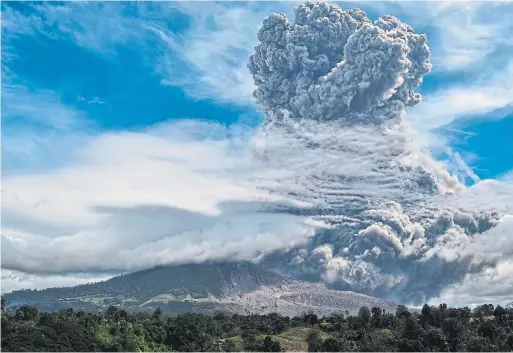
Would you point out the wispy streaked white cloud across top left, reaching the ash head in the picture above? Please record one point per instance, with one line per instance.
(208, 59)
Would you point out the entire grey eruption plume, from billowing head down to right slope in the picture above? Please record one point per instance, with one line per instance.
(335, 88)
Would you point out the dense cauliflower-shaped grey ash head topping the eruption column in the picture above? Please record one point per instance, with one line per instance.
(331, 62)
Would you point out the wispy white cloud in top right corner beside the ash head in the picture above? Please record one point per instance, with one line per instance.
(465, 33)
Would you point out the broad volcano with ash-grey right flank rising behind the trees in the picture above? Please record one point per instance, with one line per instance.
(207, 288)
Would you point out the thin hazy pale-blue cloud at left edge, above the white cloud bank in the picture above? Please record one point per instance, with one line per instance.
(38, 130)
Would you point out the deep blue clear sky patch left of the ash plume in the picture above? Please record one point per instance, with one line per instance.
(116, 87)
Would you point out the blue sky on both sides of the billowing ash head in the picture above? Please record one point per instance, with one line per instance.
(120, 83)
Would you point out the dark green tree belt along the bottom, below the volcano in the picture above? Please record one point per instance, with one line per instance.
(484, 329)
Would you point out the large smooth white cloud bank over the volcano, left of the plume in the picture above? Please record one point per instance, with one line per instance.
(134, 200)
